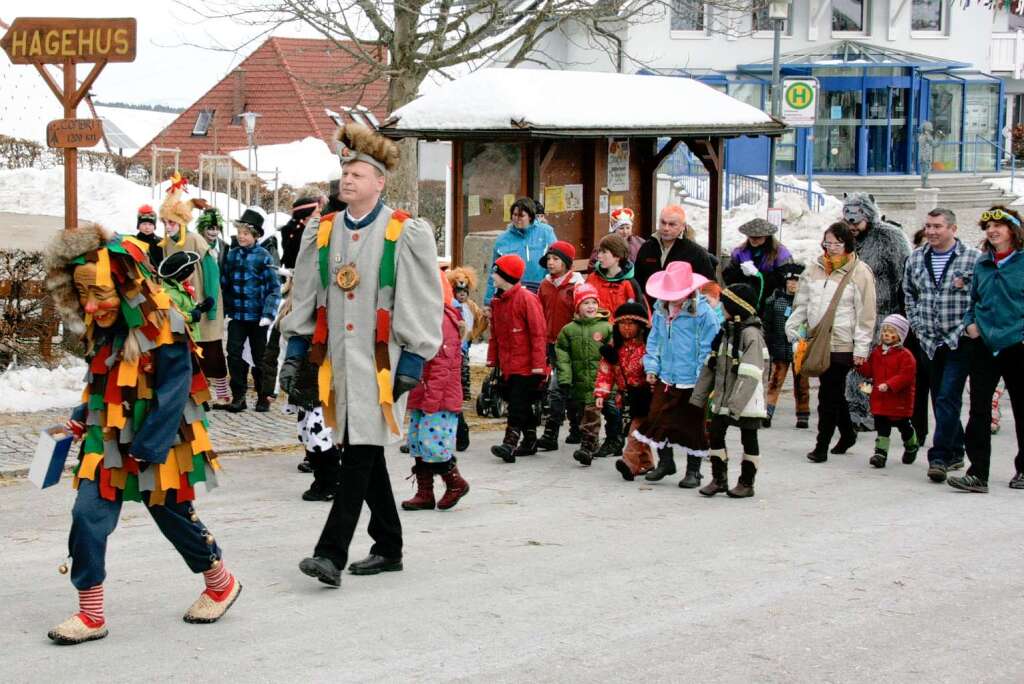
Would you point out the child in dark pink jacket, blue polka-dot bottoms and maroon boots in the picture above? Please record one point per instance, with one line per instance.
(435, 409)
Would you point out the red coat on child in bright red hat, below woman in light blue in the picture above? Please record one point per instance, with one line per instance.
(519, 333)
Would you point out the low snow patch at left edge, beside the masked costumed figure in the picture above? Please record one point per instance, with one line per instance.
(39, 389)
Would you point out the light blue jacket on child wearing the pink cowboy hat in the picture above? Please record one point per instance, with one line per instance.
(676, 353)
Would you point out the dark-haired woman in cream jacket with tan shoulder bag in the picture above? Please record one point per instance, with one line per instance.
(854, 329)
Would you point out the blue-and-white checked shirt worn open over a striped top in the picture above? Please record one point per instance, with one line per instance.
(936, 313)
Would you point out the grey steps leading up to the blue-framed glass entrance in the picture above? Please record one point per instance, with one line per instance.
(895, 194)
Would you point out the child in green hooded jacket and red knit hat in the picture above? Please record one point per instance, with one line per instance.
(578, 352)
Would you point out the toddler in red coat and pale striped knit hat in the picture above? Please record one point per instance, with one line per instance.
(892, 370)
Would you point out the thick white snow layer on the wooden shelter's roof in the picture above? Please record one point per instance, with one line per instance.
(564, 103)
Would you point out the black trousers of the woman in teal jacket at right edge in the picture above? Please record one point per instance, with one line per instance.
(986, 373)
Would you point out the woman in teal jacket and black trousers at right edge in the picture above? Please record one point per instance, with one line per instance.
(997, 318)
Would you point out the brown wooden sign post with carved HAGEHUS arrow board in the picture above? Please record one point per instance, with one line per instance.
(40, 41)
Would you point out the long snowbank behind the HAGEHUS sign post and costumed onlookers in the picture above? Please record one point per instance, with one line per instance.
(103, 198)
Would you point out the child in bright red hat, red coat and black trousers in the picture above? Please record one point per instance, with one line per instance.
(518, 348)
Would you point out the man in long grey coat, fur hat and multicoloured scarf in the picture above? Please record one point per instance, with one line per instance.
(367, 307)
